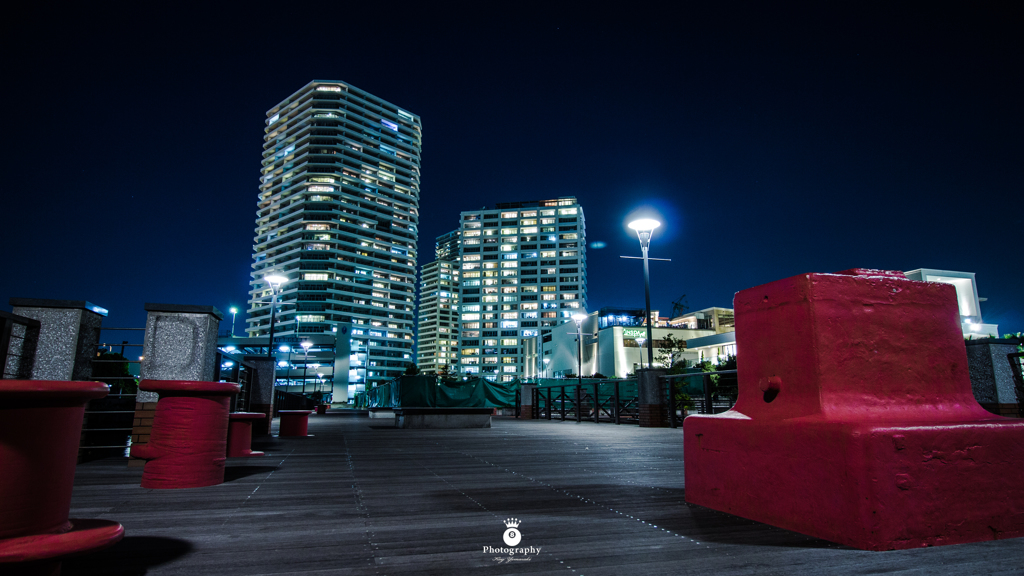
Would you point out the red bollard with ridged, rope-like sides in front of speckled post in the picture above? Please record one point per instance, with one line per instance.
(189, 442)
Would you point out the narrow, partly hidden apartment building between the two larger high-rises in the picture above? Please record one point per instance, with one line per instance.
(438, 343)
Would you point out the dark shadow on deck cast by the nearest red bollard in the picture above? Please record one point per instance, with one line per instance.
(134, 556)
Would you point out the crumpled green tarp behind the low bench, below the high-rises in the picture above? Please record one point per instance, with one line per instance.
(431, 392)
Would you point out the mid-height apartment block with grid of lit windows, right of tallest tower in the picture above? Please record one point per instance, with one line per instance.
(524, 272)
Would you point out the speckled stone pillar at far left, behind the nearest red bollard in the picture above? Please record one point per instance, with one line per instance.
(69, 334)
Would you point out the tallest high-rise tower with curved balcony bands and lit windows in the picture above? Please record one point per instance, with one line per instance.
(338, 215)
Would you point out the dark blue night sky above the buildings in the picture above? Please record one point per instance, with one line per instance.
(772, 142)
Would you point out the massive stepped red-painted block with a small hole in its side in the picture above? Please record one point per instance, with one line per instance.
(856, 421)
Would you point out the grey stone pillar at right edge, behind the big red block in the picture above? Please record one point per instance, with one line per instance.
(992, 379)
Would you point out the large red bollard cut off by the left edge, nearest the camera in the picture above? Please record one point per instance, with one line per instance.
(40, 426)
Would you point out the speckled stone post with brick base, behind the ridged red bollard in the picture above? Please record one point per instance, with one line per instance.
(181, 345)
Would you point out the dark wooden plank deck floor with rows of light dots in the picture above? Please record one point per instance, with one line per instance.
(362, 499)
